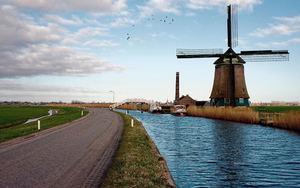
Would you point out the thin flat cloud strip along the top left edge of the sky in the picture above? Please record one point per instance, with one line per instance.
(69, 5)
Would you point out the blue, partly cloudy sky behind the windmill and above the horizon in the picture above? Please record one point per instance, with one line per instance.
(105, 50)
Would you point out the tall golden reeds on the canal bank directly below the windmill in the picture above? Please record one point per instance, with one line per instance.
(238, 114)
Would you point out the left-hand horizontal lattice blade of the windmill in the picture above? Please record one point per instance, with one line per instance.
(198, 53)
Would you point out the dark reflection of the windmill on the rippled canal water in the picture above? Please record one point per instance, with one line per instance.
(229, 154)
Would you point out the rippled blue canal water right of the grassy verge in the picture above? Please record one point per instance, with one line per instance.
(209, 153)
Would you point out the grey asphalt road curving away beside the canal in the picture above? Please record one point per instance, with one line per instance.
(76, 154)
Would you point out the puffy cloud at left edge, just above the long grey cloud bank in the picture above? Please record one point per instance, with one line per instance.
(18, 30)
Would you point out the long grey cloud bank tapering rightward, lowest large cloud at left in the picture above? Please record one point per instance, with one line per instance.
(47, 59)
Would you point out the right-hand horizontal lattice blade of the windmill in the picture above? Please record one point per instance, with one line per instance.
(264, 55)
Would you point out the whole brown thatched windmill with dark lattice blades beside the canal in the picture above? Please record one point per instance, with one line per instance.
(229, 87)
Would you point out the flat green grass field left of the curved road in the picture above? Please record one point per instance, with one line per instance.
(10, 116)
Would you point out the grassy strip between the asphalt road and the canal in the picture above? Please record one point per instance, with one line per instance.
(137, 162)
